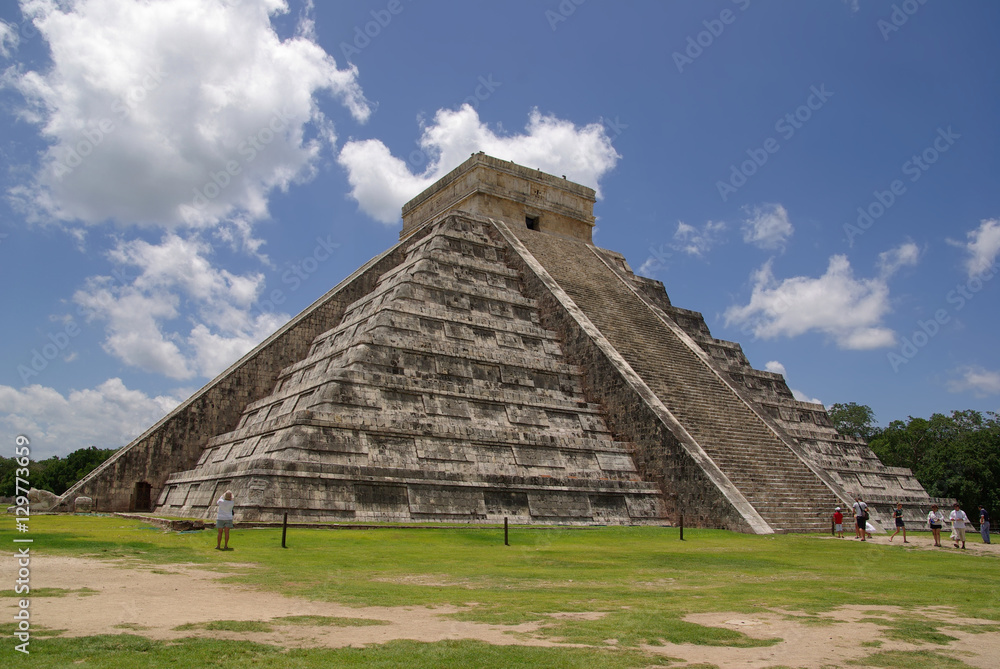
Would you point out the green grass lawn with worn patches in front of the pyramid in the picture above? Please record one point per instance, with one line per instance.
(642, 578)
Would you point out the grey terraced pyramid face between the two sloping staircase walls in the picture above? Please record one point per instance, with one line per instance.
(437, 397)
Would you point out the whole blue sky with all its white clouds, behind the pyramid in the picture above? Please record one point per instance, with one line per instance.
(819, 179)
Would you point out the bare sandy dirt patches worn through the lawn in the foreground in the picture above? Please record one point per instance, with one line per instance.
(152, 601)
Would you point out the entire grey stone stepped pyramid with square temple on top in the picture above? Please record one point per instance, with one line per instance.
(495, 363)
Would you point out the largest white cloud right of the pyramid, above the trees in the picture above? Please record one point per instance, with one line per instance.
(848, 310)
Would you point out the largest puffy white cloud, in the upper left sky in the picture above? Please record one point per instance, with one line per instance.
(146, 106)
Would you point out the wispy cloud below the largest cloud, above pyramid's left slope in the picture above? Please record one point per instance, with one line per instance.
(141, 313)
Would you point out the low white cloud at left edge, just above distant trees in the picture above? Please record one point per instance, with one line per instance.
(107, 416)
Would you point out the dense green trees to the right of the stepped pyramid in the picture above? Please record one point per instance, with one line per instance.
(954, 455)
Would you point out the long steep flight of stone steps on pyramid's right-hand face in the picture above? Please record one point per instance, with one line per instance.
(777, 482)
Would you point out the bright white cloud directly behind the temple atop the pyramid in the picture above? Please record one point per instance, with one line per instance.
(381, 183)
